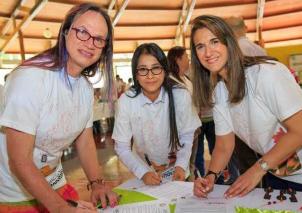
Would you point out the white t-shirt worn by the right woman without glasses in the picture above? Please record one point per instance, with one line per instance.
(272, 95)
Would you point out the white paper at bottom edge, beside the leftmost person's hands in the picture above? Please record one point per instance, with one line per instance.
(143, 207)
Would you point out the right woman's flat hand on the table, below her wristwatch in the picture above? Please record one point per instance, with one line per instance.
(246, 182)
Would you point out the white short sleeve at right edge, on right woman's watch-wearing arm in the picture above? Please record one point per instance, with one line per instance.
(279, 91)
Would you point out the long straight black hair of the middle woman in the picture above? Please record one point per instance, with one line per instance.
(168, 84)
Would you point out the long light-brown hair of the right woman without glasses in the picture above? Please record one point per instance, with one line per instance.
(203, 85)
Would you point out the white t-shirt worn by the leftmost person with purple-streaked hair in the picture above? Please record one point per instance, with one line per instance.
(42, 103)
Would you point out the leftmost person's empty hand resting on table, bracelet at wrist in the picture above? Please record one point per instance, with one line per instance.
(102, 193)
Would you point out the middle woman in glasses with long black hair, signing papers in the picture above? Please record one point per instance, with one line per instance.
(157, 113)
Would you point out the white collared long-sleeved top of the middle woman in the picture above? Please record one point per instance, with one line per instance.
(148, 123)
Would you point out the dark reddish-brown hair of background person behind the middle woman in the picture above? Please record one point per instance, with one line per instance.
(173, 54)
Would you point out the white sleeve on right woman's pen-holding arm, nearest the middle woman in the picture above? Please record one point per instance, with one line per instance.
(221, 115)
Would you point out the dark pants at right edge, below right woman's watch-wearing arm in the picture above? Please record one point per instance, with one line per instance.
(278, 183)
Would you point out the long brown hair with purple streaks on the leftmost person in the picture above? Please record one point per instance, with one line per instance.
(56, 57)
